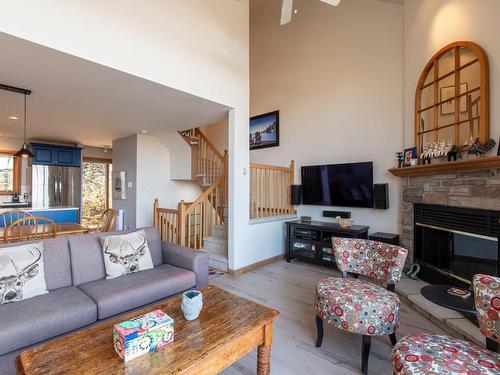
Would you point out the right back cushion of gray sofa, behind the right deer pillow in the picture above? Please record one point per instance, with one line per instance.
(87, 262)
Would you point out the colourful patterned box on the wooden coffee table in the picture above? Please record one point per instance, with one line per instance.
(143, 334)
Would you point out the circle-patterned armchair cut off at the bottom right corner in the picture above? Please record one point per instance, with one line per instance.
(422, 353)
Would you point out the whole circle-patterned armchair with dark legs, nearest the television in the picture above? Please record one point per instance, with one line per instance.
(358, 306)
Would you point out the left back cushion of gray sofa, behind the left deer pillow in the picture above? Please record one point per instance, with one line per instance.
(56, 262)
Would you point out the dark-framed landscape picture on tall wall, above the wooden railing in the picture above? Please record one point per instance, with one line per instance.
(264, 130)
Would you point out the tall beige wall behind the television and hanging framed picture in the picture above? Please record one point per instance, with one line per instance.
(336, 75)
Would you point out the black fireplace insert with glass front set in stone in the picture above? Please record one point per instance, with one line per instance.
(452, 244)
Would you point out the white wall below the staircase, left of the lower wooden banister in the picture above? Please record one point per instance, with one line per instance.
(153, 180)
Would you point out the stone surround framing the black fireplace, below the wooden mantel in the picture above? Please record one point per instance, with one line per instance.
(478, 189)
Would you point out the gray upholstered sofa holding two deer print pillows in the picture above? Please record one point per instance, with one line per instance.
(80, 295)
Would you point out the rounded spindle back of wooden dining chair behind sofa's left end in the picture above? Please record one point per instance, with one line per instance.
(30, 228)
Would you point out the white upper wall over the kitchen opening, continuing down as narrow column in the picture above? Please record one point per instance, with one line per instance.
(196, 46)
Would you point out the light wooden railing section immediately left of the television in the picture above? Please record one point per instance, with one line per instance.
(270, 190)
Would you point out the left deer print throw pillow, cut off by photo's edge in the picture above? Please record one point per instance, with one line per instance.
(21, 272)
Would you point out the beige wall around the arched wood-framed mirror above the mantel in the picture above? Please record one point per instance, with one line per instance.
(429, 26)
